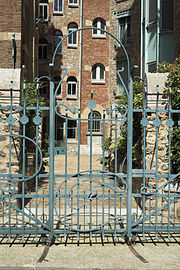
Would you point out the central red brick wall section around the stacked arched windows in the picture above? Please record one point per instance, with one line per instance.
(94, 51)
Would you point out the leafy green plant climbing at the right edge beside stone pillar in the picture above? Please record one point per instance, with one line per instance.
(173, 81)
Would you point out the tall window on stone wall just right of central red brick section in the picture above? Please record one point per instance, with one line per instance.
(124, 29)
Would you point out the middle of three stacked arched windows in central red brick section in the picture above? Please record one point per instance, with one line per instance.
(98, 74)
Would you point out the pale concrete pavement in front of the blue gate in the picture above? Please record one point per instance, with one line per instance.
(119, 256)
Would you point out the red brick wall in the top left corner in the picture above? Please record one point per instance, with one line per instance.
(10, 21)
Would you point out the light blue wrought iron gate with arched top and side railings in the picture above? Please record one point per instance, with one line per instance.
(76, 197)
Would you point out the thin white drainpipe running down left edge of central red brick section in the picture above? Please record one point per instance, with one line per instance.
(80, 56)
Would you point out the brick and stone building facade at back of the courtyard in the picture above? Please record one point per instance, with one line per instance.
(92, 57)
